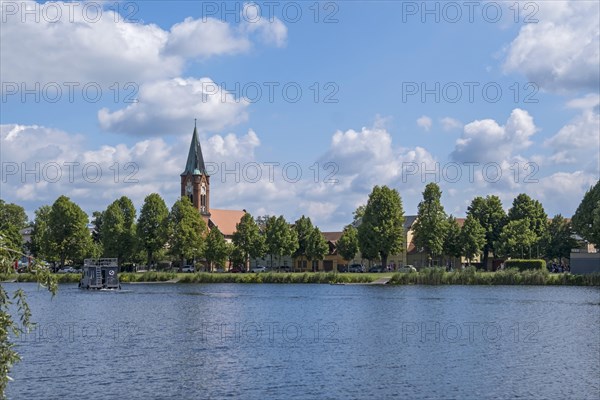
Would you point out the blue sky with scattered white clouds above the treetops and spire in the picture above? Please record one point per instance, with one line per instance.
(302, 107)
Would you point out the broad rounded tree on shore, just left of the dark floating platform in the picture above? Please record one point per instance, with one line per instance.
(67, 232)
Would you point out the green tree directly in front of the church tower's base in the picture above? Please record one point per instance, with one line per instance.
(187, 230)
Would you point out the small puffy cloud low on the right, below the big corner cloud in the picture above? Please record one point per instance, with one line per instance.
(487, 141)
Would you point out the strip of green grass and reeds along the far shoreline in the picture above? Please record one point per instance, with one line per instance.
(433, 276)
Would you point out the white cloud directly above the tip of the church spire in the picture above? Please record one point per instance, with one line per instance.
(169, 107)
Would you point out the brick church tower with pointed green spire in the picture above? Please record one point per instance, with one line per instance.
(195, 182)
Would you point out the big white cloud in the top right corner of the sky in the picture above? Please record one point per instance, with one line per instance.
(562, 51)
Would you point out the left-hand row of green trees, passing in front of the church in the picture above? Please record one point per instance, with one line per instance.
(60, 233)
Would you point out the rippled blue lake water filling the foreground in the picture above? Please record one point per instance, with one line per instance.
(163, 341)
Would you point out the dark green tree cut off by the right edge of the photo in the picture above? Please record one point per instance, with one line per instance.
(586, 220)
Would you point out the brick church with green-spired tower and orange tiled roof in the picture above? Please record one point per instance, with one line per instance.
(195, 184)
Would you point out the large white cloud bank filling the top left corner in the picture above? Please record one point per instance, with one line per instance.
(104, 48)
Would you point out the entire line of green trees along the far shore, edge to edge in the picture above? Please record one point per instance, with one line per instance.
(60, 231)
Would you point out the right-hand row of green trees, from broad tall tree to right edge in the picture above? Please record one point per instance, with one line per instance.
(523, 232)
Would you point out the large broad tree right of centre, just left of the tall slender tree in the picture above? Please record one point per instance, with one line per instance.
(381, 228)
